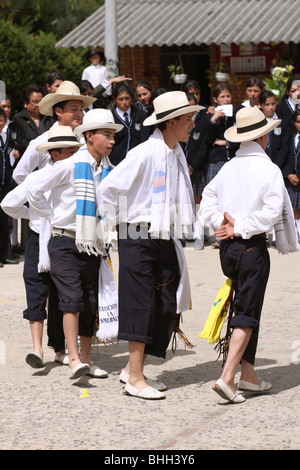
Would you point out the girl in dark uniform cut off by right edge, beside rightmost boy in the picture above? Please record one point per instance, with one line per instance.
(291, 170)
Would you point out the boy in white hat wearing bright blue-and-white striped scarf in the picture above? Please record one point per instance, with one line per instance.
(74, 248)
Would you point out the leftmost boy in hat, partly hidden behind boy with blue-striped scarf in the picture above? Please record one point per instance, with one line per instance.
(61, 144)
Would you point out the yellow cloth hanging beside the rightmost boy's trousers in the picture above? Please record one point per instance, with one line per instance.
(217, 315)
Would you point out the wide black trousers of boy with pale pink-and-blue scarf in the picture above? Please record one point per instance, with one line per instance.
(148, 281)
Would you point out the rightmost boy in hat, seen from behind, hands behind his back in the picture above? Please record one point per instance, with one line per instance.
(243, 203)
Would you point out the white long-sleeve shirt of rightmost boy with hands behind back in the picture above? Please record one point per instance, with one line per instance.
(250, 188)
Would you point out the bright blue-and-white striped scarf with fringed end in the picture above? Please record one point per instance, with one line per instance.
(86, 209)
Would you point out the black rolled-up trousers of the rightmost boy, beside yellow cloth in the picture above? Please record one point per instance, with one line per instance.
(247, 263)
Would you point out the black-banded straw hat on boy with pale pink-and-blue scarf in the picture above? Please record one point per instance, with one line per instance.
(170, 105)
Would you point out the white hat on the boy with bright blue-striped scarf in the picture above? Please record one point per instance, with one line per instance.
(97, 119)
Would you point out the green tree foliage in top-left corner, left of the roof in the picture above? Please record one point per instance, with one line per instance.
(29, 30)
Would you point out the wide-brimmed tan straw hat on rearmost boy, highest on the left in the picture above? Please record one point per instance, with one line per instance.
(67, 91)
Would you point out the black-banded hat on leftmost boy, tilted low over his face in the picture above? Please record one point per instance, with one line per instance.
(59, 137)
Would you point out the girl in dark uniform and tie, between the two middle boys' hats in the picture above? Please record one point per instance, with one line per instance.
(131, 117)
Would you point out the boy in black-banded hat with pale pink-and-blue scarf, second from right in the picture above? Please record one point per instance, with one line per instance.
(153, 184)
